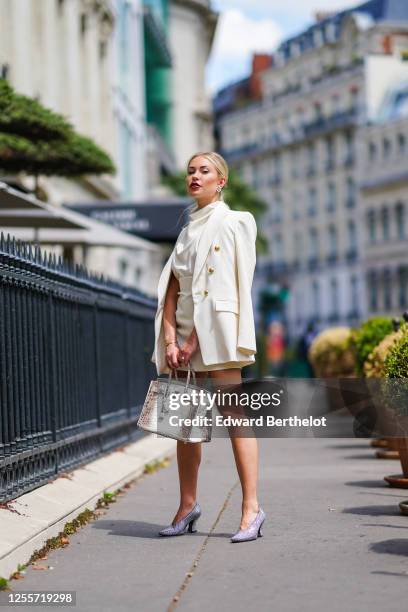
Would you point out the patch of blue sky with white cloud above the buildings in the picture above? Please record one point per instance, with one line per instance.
(248, 26)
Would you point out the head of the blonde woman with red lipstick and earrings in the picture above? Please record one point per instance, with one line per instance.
(203, 179)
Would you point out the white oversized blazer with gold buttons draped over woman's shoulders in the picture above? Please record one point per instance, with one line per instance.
(221, 290)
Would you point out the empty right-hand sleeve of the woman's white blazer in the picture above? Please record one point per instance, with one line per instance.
(245, 253)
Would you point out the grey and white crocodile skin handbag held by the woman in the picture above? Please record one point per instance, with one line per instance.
(172, 410)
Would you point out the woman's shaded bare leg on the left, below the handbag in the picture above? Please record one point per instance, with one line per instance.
(188, 462)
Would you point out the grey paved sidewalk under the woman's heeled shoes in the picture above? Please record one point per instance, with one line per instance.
(333, 538)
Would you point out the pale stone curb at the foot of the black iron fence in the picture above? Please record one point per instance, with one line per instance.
(44, 511)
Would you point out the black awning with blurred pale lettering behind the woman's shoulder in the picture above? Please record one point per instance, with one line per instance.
(158, 221)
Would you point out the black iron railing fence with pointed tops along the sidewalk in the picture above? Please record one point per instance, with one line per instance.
(75, 365)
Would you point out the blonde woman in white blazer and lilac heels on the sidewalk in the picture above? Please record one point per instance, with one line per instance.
(205, 319)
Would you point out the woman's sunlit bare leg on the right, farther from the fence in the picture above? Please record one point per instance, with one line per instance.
(245, 453)
